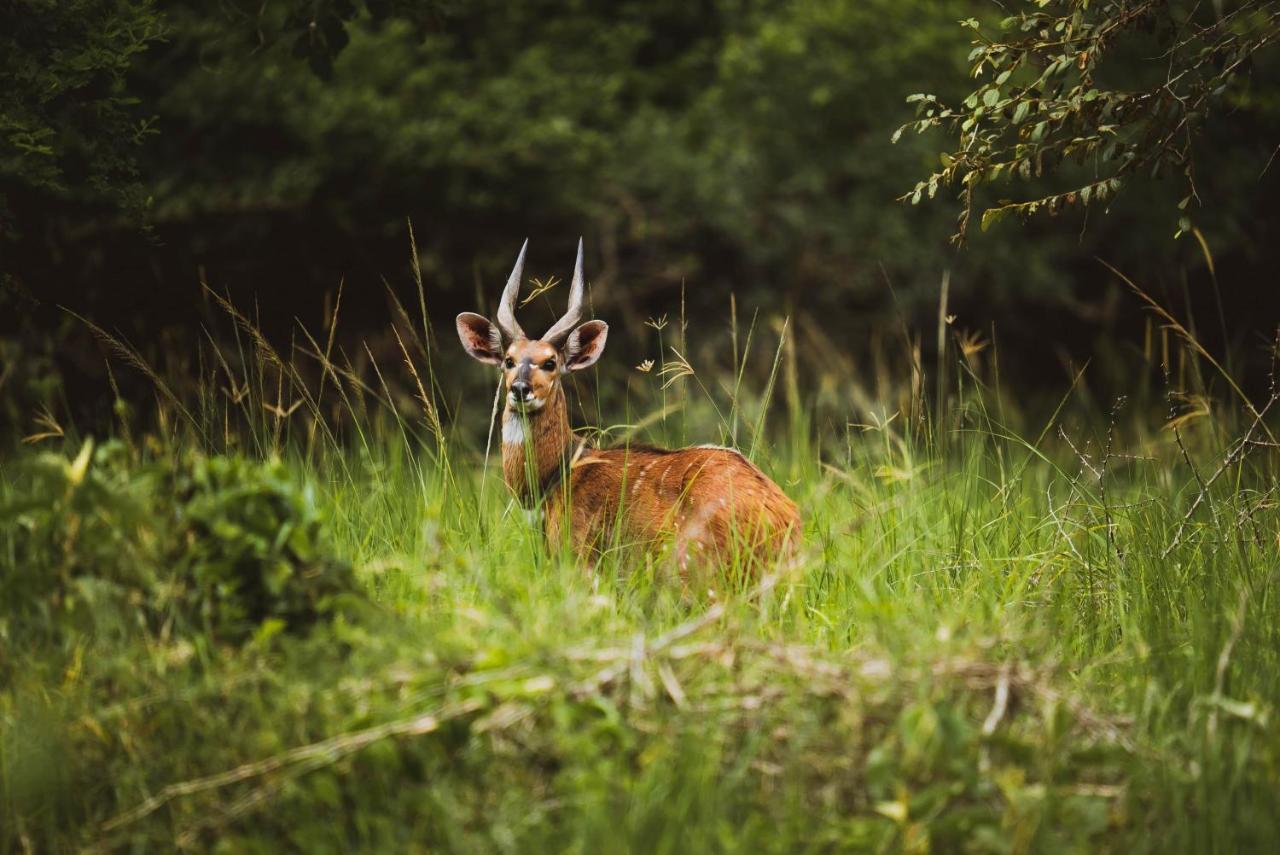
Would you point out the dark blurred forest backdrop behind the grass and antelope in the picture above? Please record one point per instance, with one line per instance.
(702, 149)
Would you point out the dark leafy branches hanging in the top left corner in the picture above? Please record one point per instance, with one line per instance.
(70, 122)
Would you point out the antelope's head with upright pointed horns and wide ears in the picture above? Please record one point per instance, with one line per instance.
(533, 367)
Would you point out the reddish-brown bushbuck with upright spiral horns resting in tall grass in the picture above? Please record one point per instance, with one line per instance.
(707, 504)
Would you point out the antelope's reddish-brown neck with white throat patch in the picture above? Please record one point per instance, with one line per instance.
(536, 443)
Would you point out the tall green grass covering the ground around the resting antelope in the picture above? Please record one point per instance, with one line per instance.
(1008, 632)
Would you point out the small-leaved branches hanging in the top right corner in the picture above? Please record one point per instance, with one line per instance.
(1055, 90)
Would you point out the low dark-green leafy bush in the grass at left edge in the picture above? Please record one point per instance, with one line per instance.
(100, 548)
